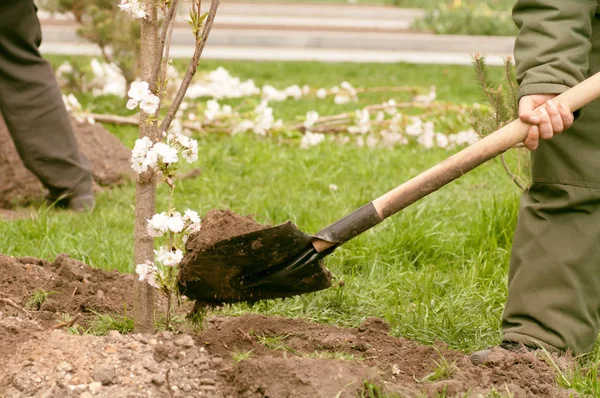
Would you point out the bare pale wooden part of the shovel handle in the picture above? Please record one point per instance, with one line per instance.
(476, 154)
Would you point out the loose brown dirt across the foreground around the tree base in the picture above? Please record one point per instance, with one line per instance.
(247, 356)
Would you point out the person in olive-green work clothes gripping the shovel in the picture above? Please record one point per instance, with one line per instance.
(554, 278)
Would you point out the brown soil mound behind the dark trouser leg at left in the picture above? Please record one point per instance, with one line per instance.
(110, 161)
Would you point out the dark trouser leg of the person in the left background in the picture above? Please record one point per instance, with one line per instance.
(32, 106)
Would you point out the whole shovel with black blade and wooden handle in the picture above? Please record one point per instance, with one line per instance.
(282, 261)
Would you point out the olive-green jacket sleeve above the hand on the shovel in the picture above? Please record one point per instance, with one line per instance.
(553, 44)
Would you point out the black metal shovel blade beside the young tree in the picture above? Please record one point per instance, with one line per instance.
(270, 263)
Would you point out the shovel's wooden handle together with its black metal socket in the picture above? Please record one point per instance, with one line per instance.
(444, 172)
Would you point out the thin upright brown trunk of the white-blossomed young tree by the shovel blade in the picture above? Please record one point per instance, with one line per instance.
(145, 195)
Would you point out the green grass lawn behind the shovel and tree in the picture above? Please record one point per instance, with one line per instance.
(436, 271)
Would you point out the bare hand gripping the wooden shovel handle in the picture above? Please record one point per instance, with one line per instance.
(552, 119)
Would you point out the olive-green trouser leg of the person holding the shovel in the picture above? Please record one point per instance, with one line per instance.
(554, 279)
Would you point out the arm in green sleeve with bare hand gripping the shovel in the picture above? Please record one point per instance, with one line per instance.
(551, 55)
